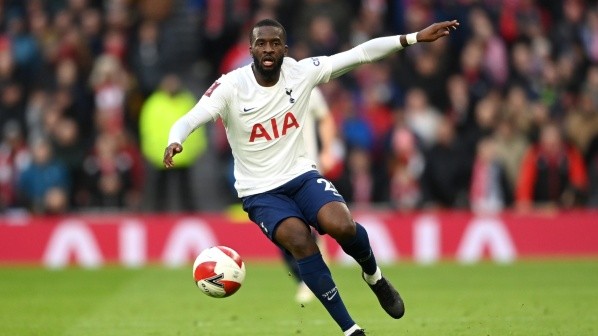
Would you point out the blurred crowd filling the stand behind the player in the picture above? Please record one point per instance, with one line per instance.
(503, 114)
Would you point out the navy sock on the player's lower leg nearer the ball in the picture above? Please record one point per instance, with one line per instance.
(317, 277)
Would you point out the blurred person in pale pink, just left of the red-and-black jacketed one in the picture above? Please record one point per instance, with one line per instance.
(489, 191)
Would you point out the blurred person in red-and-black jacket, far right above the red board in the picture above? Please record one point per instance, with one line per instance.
(552, 173)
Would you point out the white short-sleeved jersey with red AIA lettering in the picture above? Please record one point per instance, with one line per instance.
(264, 124)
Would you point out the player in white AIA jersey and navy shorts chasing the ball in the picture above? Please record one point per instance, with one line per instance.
(263, 107)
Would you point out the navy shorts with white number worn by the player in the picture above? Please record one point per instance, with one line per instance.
(302, 197)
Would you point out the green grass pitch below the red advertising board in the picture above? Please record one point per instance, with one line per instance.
(526, 298)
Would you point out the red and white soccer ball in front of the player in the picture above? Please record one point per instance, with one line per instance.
(219, 271)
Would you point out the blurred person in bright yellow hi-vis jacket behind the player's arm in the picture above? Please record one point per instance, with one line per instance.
(164, 107)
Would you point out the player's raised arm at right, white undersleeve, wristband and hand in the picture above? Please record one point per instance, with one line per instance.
(381, 47)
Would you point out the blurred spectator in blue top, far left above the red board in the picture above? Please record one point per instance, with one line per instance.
(44, 184)
